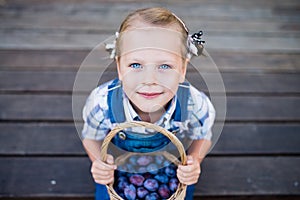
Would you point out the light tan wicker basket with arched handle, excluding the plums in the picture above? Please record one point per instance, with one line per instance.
(181, 190)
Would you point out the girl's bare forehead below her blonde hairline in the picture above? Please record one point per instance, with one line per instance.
(157, 38)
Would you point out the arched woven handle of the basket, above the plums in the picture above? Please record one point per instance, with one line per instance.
(120, 127)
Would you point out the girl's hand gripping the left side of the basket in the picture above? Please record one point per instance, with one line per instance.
(103, 173)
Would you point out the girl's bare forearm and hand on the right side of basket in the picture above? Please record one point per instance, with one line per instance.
(189, 174)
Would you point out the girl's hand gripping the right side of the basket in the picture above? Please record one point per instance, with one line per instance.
(189, 174)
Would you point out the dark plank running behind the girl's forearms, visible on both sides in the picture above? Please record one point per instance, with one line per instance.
(31, 139)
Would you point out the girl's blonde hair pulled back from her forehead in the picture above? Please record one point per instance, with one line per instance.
(154, 16)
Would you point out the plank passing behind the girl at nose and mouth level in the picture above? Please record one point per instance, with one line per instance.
(63, 81)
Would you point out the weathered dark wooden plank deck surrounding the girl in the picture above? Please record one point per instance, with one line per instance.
(255, 44)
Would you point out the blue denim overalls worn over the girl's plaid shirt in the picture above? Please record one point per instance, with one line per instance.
(134, 142)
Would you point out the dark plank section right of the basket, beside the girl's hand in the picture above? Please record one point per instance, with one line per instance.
(249, 175)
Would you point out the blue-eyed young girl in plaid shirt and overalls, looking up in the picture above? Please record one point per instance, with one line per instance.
(152, 50)
